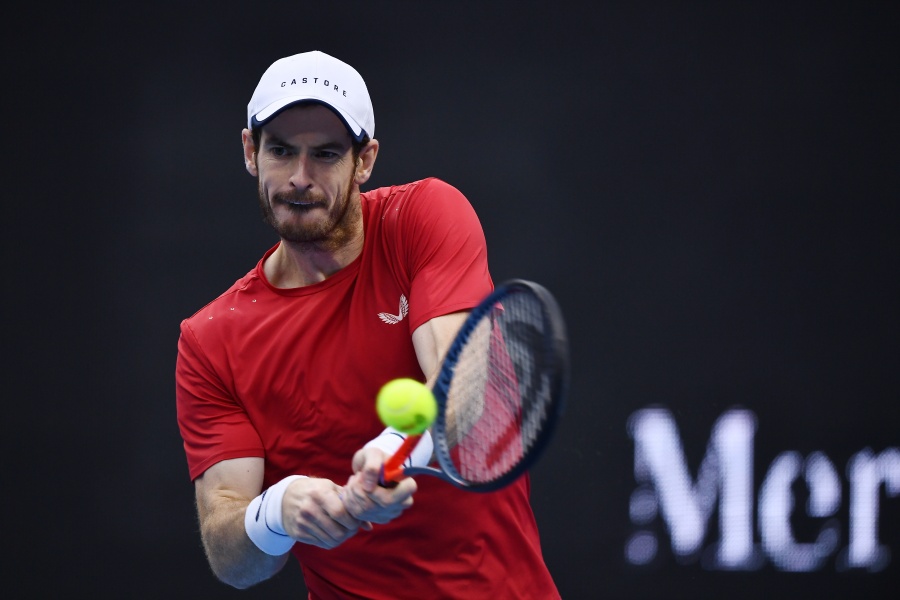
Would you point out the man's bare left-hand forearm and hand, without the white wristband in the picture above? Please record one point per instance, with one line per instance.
(311, 509)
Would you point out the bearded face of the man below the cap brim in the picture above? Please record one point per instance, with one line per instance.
(306, 177)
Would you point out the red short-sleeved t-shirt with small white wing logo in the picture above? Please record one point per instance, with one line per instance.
(290, 375)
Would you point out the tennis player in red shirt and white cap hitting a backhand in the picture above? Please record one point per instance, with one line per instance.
(276, 378)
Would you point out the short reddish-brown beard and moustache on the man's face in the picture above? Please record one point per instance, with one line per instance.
(330, 232)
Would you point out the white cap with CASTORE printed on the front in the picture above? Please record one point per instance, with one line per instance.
(313, 77)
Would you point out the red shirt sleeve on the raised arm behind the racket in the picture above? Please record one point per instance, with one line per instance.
(446, 252)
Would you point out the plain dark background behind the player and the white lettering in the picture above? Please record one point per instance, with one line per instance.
(710, 189)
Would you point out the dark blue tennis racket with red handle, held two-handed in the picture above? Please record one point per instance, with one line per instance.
(500, 391)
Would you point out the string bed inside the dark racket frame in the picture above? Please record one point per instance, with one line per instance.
(500, 392)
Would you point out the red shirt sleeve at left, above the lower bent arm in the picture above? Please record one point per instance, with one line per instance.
(213, 424)
